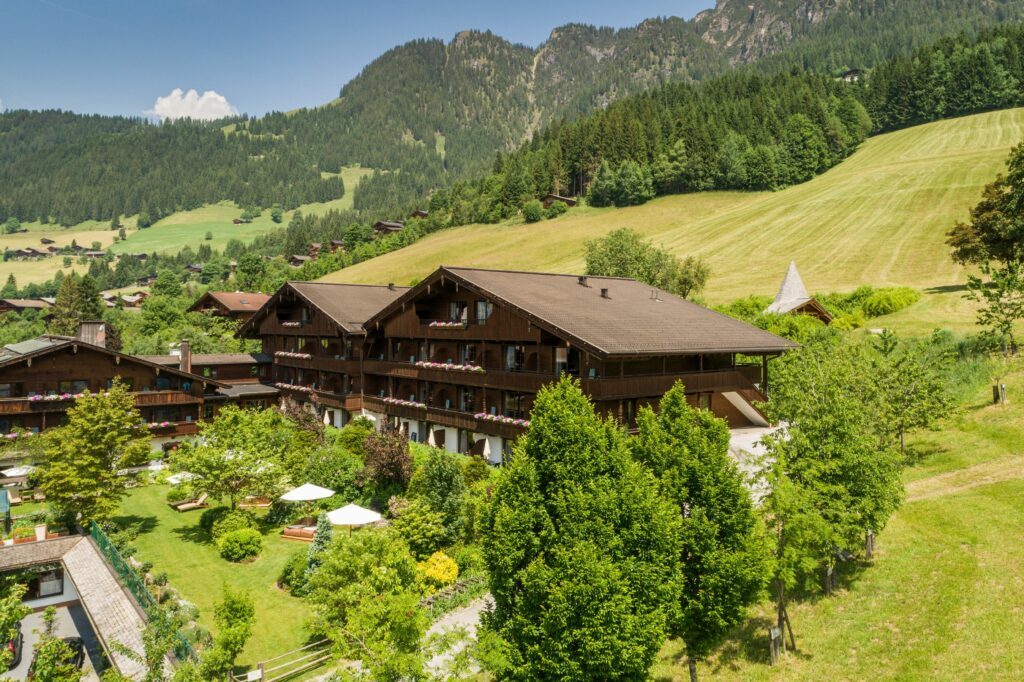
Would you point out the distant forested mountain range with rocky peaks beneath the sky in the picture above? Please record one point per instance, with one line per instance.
(433, 111)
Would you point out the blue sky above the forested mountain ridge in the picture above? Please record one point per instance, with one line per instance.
(118, 57)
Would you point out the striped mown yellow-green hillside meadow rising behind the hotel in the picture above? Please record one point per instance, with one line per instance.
(880, 219)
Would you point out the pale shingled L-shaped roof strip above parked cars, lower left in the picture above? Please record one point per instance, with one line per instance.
(113, 612)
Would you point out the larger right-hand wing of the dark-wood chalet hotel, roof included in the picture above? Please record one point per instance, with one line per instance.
(457, 361)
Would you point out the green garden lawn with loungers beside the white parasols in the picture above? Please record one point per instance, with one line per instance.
(173, 542)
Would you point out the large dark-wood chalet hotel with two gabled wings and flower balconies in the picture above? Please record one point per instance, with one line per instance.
(458, 360)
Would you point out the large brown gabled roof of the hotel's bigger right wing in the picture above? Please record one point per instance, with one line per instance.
(634, 320)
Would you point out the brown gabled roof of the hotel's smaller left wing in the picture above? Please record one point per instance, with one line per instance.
(349, 306)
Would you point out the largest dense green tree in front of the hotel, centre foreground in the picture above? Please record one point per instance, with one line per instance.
(582, 551)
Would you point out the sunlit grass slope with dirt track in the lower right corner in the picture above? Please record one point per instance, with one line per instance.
(945, 598)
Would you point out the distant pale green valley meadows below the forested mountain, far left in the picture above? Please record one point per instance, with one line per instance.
(167, 236)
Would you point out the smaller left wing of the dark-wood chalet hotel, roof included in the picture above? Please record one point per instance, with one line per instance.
(315, 334)
